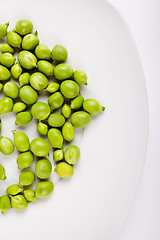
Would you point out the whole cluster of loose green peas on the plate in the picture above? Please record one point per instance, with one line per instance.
(36, 62)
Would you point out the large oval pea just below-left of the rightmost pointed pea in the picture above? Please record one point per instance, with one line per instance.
(80, 119)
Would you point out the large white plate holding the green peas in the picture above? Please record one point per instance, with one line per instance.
(94, 203)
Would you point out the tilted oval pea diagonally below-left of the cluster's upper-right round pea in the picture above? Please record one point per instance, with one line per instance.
(45, 67)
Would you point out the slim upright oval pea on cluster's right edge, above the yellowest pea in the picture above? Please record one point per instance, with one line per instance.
(68, 131)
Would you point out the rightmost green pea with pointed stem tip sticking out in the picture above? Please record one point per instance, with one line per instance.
(92, 106)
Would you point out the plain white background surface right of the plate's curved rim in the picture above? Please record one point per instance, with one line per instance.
(143, 17)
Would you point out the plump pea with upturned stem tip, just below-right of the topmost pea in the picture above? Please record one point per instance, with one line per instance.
(30, 41)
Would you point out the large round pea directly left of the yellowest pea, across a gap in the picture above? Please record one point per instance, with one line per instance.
(43, 169)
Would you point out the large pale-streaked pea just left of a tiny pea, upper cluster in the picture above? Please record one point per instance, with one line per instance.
(38, 81)
